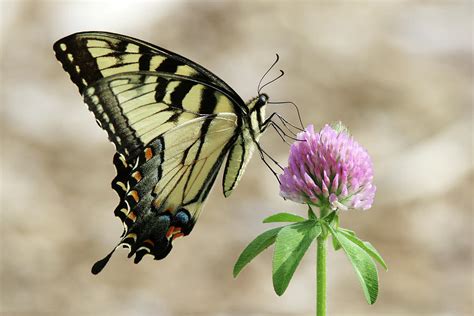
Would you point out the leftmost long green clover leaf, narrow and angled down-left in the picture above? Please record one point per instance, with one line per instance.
(259, 244)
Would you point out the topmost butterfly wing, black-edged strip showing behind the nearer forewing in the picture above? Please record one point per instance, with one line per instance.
(90, 56)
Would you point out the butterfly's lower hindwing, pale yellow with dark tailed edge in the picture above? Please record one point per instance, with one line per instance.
(166, 186)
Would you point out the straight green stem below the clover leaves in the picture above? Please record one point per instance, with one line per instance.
(321, 276)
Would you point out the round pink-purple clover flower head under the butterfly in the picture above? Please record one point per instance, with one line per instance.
(328, 169)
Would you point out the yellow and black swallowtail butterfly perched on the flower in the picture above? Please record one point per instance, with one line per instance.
(173, 124)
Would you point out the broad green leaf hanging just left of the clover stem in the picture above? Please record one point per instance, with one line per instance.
(291, 244)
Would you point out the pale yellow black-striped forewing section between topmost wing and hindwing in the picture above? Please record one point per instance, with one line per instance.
(122, 103)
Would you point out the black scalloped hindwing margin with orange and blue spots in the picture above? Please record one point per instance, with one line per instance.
(145, 228)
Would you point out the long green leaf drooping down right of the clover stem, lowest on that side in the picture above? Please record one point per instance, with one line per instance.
(363, 264)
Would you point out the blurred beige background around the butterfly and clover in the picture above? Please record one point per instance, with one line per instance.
(398, 73)
